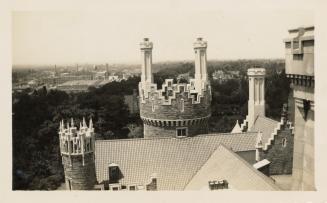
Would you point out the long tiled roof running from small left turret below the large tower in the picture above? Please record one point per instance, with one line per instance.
(174, 160)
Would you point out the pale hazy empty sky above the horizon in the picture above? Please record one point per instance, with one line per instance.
(72, 36)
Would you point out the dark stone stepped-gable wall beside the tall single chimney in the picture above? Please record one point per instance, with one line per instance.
(281, 157)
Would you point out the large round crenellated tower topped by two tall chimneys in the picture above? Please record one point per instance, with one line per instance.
(175, 110)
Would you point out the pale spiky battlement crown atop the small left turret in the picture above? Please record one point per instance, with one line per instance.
(75, 141)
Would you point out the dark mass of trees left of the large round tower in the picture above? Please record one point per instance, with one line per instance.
(36, 157)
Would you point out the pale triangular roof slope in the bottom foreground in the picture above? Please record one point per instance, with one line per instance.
(224, 164)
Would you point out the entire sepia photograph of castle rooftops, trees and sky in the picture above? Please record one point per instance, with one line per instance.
(163, 97)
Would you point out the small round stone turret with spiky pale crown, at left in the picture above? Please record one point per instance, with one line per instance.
(77, 152)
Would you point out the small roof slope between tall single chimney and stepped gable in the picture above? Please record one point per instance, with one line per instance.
(264, 125)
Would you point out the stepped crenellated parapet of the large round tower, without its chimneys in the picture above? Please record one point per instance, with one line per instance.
(175, 101)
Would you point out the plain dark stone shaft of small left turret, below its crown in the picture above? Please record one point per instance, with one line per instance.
(80, 177)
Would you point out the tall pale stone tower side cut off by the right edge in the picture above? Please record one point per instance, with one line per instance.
(299, 53)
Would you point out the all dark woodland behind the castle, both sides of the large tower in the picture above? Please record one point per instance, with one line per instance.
(36, 116)
